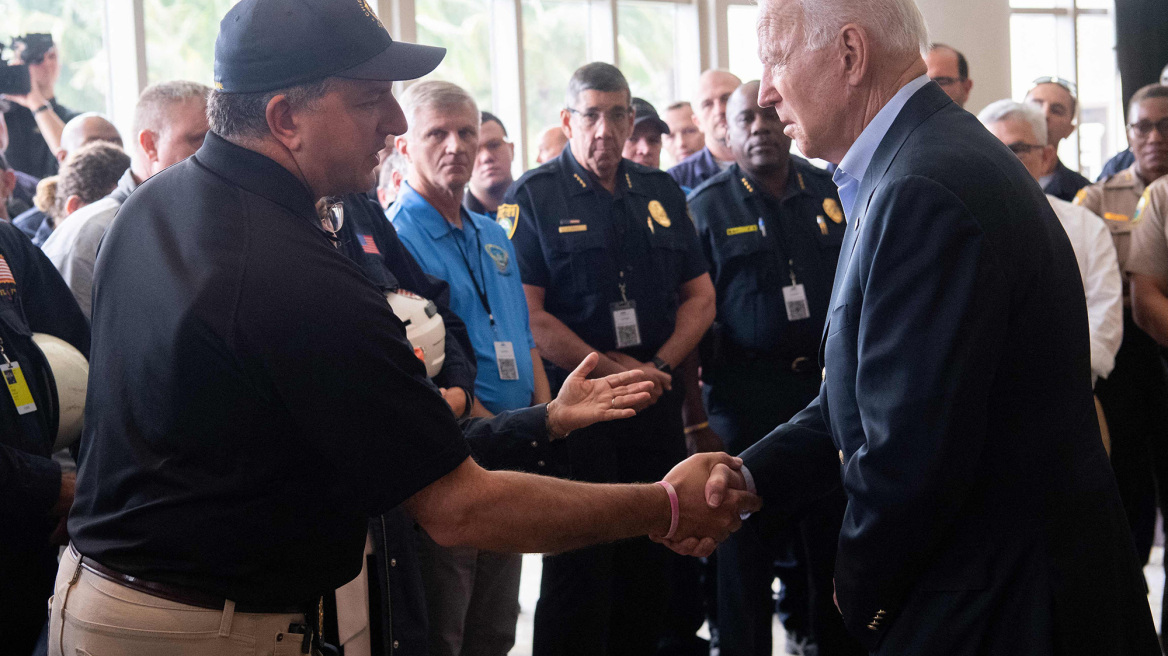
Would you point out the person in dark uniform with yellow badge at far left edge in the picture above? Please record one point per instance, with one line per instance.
(34, 494)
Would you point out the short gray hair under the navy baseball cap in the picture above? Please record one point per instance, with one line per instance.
(245, 116)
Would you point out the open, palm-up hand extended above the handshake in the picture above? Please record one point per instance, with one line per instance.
(583, 401)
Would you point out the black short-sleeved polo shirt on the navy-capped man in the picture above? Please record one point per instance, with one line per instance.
(259, 400)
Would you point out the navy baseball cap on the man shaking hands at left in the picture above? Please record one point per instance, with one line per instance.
(269, 45)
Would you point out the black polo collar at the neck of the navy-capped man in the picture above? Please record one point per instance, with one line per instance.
(258, 175)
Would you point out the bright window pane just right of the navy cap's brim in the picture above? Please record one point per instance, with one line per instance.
(464, 29)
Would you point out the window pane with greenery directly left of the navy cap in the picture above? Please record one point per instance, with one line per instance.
(180, 39)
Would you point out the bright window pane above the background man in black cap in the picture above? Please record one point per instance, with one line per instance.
(645, 48)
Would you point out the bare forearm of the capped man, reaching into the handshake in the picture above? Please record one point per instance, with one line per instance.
(523, 513)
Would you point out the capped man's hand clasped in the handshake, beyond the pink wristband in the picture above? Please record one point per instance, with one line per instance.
(712, 499)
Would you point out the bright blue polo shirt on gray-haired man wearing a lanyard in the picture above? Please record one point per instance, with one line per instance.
(441, 249)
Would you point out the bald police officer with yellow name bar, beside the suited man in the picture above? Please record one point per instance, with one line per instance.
(771, 227)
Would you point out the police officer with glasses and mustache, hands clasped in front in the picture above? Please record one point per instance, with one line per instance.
(610, 262)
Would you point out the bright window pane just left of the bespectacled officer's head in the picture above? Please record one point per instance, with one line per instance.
(555, 45)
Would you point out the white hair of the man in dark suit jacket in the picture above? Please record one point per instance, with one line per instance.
(896, 25)
